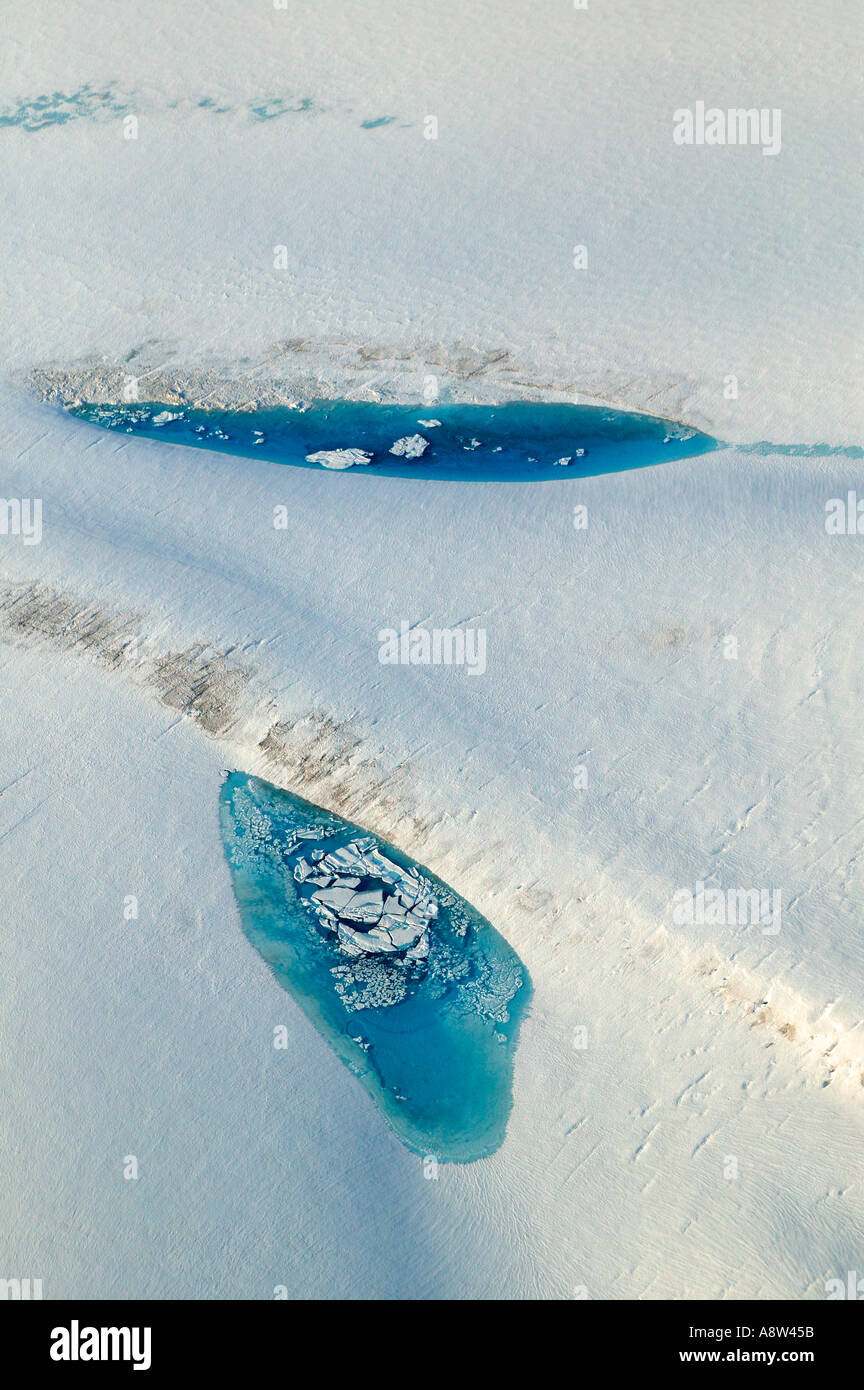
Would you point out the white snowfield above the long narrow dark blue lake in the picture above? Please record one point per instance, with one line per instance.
(408, 258)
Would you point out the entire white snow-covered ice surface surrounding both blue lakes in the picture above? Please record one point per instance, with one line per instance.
(673, 693)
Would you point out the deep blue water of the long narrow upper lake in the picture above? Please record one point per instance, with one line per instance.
(515, 441)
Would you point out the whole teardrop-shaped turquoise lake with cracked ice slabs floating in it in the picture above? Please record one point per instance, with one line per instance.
(415, 990)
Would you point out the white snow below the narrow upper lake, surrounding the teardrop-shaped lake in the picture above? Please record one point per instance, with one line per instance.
(702, 1043)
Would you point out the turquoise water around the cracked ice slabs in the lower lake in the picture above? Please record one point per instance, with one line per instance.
(438, 1061)
